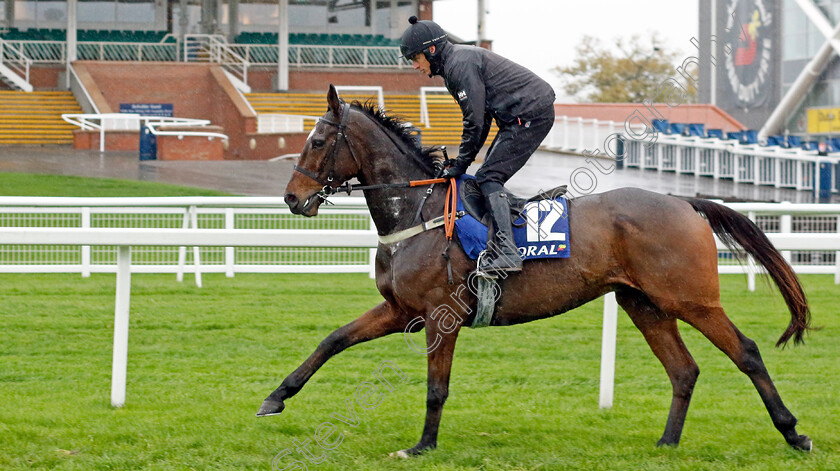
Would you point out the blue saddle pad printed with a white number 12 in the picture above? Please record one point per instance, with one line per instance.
(545, 233)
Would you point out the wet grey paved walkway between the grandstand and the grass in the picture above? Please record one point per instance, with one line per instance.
(261, 178)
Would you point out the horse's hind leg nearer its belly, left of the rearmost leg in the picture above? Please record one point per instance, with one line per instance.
(664, 339)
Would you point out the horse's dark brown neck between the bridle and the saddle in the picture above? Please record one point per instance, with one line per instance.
(392, 209)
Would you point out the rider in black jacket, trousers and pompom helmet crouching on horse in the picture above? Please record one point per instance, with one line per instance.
(486, 87)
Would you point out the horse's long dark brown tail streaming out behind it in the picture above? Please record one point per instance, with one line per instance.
(741, 235)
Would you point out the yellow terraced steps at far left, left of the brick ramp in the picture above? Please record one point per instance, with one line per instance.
(35, 117)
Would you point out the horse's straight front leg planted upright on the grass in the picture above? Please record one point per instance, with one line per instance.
(440, 344)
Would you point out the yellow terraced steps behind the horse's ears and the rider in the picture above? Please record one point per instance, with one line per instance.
(444, 114)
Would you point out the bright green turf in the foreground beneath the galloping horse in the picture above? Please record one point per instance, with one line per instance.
(522, 397)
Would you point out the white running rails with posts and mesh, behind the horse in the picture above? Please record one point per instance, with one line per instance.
(259, 235)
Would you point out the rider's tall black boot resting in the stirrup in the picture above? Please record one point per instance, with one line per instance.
(503, 255)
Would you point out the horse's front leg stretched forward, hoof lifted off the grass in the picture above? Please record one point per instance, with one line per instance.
(382, 320)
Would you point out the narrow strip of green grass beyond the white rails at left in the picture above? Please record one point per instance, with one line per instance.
(29, 184)
